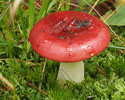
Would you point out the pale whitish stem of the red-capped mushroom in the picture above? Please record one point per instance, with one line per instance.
(71, 71)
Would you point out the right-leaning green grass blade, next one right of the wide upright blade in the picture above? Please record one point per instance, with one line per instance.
(43, 9)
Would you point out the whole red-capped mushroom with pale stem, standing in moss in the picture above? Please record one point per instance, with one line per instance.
(69, 37)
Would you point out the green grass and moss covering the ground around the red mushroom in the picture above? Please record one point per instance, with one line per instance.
(104, 74)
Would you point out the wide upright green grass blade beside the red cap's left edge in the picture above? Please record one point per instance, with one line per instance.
(31, 14)
